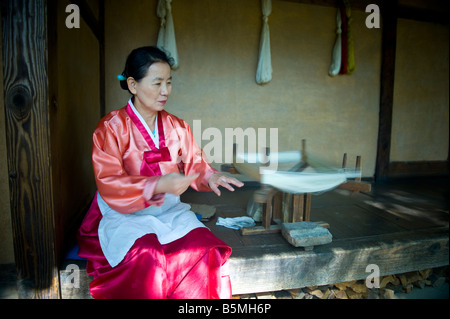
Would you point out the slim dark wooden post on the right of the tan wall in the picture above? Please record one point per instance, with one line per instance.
(389, 41)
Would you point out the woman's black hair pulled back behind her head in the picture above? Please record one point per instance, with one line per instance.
(138, 62)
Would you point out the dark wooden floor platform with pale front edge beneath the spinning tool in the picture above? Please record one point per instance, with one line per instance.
(400, 227)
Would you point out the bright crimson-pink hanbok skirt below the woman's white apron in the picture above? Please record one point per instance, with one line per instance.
(191, 267)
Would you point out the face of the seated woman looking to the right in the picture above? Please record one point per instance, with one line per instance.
(151, 92)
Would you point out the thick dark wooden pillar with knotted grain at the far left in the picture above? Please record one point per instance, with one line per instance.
(26, 58)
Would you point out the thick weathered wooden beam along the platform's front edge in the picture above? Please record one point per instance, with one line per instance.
(278, 267)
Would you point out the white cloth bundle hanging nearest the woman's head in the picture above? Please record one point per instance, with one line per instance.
(166, 34)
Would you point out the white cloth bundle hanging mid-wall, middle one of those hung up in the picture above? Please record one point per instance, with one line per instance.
(264, 70)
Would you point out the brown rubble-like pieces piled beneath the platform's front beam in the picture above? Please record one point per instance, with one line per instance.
(389, 286)
